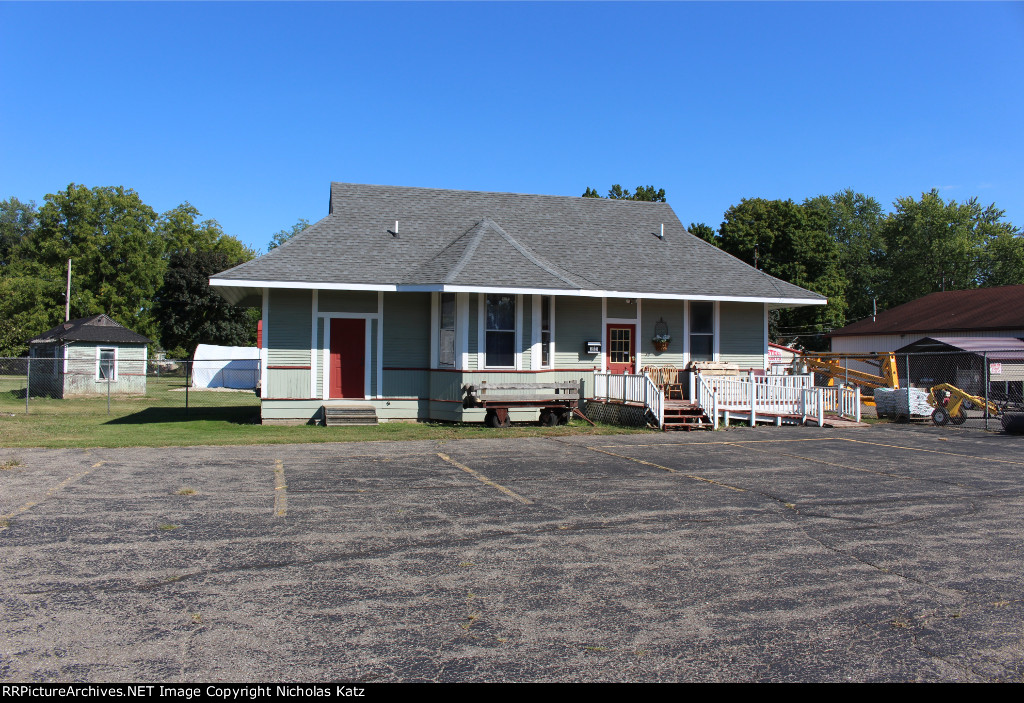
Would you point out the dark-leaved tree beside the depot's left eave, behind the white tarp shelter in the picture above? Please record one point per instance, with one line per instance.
(192, 314)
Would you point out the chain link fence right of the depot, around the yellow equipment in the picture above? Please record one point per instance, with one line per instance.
(979, 388)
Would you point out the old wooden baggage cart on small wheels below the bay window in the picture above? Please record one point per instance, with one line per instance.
(559, 401)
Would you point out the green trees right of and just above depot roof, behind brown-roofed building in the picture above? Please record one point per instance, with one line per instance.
(848, 249)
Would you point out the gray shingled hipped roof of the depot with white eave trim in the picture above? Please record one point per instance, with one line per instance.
(507, 241)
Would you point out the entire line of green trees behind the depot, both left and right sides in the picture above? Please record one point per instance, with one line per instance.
(150, 272)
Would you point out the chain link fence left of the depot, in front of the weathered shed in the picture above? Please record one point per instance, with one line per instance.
(148, 390)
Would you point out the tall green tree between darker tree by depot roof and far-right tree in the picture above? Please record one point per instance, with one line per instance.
(854, 221)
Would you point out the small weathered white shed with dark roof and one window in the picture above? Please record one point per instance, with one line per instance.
(88, 357)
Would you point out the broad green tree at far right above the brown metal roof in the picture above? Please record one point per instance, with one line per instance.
(937, 246)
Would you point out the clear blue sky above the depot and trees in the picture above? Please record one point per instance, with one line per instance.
(250, 110)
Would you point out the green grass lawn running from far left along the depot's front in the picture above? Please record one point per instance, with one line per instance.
(159, 419)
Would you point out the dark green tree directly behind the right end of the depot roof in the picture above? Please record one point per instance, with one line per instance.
(791, 243)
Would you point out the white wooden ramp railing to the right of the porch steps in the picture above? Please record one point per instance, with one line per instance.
(775, 396)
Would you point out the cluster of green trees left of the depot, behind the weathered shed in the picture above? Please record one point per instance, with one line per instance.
(147, 272)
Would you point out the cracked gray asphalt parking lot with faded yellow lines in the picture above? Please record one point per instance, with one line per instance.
(792, 554)
